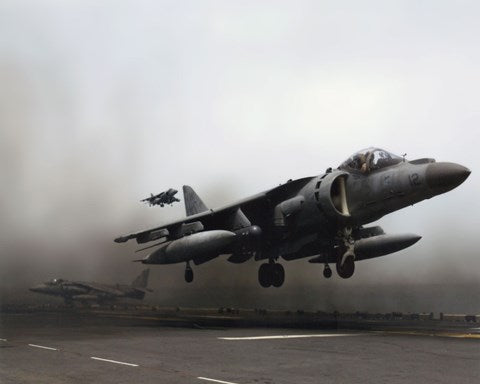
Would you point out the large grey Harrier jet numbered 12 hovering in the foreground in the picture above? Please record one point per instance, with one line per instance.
(321, 217)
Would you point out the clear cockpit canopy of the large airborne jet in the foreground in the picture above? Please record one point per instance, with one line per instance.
(370, 159)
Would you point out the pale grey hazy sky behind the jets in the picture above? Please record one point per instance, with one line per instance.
(104, 102)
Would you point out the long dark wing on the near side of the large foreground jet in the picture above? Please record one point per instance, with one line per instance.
(255, 208)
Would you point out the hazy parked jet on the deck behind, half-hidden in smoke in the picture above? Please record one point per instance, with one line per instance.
(84, 292)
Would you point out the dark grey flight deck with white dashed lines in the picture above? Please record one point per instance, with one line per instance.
(147, 344)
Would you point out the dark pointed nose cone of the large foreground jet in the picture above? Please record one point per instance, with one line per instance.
(446, 176)
